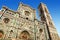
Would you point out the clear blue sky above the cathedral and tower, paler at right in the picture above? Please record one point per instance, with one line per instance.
(53, 7)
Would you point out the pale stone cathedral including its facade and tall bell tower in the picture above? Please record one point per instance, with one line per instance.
(23, 24)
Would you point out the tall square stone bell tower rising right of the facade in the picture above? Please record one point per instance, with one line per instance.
(45, 16)
